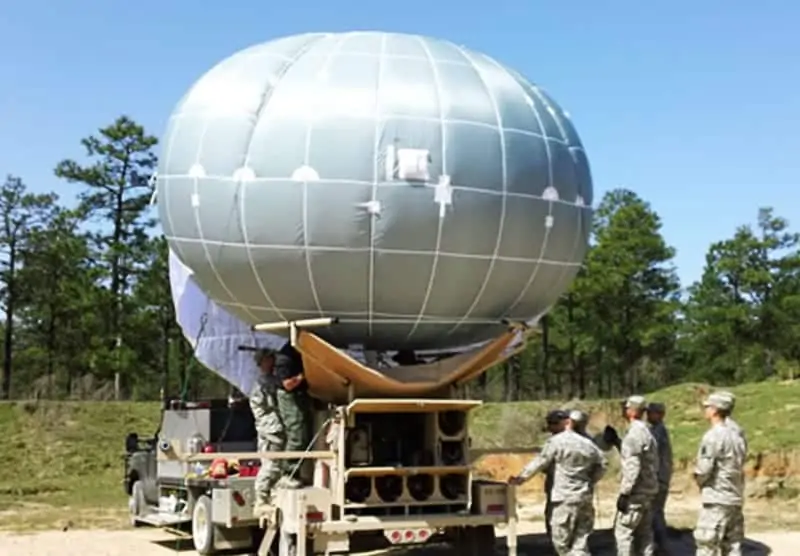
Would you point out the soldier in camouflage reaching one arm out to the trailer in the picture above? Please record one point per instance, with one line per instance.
(578, 465)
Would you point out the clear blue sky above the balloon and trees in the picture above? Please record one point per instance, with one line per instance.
(694, 105)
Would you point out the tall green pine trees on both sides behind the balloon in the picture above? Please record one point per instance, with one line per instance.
(87, 311)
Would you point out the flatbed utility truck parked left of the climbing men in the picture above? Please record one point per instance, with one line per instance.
(165, 490)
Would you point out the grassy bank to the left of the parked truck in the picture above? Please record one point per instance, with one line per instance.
(63, 460)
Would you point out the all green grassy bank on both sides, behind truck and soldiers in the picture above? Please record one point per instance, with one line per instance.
(62, 461)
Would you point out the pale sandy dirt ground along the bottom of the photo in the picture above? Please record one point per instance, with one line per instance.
(158, 543)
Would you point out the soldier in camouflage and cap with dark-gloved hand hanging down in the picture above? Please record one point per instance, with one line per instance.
(633, 529)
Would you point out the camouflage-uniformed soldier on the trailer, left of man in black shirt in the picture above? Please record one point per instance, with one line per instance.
(271, 434)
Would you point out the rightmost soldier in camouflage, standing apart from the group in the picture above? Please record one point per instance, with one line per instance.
(719, 473)
